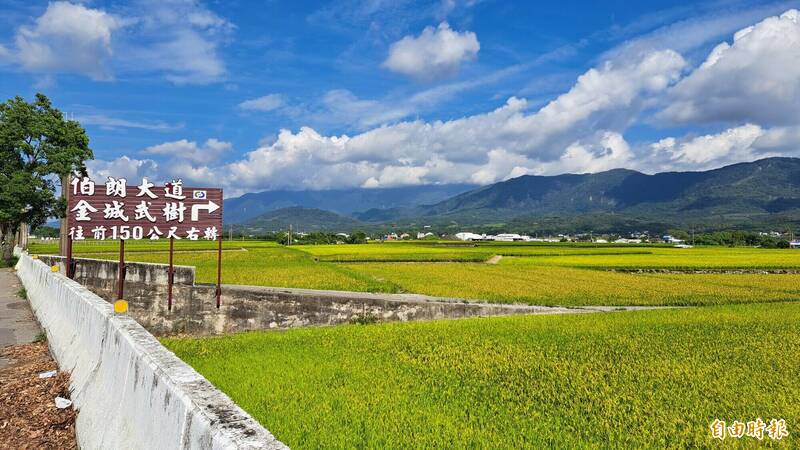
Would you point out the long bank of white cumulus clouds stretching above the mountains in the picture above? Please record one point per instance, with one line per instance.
(582, 130)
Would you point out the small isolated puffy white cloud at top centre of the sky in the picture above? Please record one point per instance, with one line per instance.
(434, 54)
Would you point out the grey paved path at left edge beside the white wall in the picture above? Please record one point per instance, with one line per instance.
(17, 325)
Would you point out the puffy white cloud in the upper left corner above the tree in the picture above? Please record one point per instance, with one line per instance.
(68, 38)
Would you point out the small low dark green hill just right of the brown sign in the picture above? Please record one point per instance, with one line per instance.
(301, 219)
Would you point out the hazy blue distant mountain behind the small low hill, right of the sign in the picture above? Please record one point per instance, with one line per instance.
(340, 201)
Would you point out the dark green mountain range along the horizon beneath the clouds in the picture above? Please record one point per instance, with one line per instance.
(751, 195)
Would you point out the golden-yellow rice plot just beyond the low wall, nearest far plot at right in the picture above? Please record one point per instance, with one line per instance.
(519, 280)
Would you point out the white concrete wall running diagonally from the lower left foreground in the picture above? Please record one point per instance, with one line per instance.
(130, 391)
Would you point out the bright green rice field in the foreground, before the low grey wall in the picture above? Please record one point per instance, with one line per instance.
(617, 380)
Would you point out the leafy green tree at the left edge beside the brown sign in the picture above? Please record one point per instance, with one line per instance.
(39, 149)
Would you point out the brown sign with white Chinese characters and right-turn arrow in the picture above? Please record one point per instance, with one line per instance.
(116, 209)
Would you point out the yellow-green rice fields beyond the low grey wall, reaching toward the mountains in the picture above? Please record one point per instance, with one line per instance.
(578, 275)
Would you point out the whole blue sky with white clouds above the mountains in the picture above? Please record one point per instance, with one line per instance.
(313, 95)
